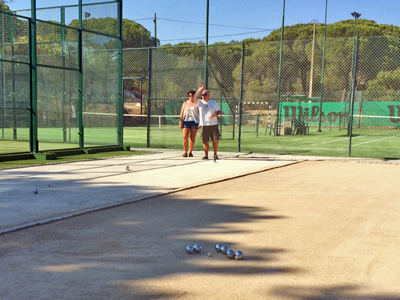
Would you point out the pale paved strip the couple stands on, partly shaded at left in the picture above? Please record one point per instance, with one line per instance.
(66, 190)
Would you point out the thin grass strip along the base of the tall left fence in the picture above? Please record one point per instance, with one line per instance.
(67, 159)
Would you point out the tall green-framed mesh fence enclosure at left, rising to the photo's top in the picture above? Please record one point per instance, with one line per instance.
(73, 98)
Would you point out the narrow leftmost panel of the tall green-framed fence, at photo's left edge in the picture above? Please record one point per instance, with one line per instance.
(14, 84)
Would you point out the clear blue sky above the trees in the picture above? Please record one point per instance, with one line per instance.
(184, 20)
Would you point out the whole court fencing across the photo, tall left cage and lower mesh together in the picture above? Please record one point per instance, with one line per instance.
(133, 97)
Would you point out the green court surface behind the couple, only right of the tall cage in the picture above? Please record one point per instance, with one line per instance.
(366, 143)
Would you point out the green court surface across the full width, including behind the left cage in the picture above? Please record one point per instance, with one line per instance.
(365, 143)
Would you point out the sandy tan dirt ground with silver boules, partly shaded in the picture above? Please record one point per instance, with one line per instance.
(312, 230)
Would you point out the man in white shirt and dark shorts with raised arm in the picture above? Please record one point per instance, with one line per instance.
(209, 112)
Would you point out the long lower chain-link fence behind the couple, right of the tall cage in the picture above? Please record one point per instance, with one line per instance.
(330, 97)
